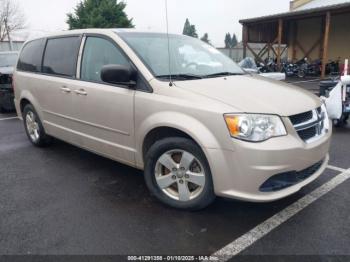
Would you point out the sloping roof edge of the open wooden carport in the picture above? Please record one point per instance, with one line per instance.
(300, 13)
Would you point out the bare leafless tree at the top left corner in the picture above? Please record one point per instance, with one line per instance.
(11, 19)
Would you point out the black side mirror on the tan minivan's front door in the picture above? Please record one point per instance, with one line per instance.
(119, 75)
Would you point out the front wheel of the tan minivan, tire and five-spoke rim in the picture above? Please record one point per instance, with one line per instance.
(178, 174)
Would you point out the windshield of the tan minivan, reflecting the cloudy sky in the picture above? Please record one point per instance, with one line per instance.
(189, 57)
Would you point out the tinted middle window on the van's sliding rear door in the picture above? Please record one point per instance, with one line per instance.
(61, 56)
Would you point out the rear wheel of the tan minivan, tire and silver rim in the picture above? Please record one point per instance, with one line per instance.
(34, 128)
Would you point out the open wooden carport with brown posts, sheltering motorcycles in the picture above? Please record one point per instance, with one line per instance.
(279, 30)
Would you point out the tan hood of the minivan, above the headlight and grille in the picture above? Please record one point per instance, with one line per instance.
(254, 94)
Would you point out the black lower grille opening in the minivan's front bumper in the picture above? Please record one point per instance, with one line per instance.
(288, 179)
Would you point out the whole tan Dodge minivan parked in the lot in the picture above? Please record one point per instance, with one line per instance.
(192, 119)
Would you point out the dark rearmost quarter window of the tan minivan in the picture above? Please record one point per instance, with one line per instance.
(31, 56)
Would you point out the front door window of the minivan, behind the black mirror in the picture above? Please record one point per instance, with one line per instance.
(99, 52)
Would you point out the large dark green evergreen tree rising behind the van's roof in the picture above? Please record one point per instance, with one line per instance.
(99, 14)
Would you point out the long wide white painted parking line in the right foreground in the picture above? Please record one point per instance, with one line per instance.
(268, 225)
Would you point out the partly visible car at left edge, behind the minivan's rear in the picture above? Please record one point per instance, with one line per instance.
(7, 62)
